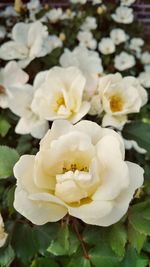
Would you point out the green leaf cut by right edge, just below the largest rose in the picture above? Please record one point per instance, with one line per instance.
(140, 217)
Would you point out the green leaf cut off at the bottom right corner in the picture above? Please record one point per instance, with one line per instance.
(132, 259)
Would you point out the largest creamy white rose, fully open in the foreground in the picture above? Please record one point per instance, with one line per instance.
(78, 170)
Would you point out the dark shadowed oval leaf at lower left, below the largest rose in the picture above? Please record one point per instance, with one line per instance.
(24, 243)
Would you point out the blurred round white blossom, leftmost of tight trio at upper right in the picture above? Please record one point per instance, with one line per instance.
(106, 46)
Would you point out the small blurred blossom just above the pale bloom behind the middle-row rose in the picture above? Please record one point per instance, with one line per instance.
(86, 39)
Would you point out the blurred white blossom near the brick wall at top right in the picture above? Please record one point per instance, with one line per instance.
(123, 15)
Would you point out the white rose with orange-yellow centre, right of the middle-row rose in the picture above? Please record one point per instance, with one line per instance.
(120, 96)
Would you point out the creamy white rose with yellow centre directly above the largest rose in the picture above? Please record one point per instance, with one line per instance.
(60, 96)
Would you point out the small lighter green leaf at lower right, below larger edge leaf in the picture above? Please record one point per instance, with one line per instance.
(136, 238)
